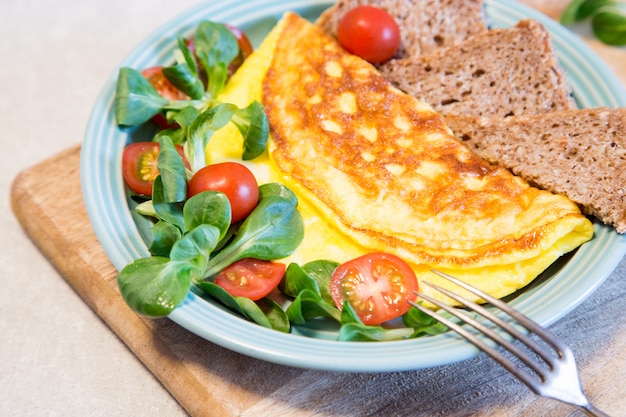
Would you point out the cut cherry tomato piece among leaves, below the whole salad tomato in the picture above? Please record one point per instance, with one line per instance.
(251, 278)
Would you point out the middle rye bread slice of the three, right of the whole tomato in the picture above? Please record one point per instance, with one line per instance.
(501, 72)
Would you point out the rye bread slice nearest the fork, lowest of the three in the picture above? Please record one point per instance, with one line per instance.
(578, 153)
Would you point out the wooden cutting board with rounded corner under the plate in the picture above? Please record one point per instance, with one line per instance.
(209, 380)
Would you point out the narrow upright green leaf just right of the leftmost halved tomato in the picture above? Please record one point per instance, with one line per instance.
(172, 170)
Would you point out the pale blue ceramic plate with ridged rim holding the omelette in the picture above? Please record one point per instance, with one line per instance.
(561, 288)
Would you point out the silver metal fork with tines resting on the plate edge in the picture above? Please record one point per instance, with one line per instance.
(557, 377)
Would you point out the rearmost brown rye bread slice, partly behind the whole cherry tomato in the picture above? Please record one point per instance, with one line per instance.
(425, 25)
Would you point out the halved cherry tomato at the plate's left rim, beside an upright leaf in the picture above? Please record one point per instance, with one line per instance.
(139, 165)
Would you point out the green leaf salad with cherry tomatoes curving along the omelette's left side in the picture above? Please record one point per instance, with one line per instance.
(197, 244)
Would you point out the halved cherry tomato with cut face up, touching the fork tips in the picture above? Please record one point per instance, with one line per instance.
(377, 285)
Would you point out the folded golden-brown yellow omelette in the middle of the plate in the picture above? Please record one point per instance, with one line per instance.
(377, 170)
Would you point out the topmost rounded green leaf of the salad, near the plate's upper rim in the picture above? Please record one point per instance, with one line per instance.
(215, 47)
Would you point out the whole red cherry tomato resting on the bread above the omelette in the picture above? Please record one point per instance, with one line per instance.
(370, 33)
